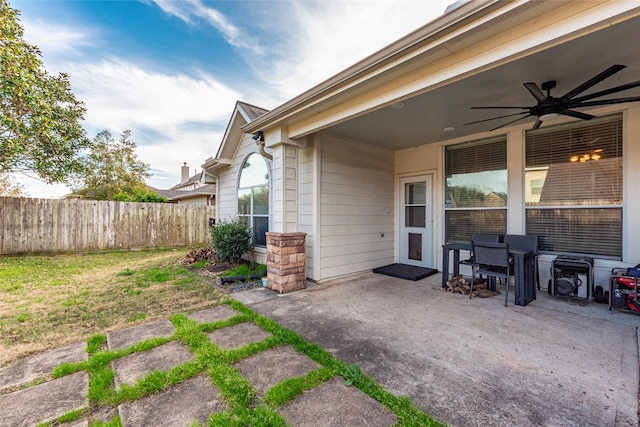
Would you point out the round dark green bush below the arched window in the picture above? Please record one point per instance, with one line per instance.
(231, 239)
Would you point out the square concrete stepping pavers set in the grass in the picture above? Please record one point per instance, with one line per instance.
(28, 395)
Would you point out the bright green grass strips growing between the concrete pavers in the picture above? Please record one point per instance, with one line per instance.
(243, 406)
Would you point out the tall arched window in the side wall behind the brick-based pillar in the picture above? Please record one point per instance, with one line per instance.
(253, 196)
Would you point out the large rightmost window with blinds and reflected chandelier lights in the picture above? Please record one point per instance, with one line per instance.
(598, 239)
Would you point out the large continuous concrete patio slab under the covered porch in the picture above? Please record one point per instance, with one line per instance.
(473, 362)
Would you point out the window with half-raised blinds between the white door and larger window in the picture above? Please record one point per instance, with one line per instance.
(475, 189)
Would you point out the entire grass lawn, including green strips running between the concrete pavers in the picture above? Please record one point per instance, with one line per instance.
(50, 301)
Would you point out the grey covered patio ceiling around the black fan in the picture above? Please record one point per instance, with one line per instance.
(424, 117)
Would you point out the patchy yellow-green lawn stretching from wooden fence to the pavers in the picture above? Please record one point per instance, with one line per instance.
(50, 301)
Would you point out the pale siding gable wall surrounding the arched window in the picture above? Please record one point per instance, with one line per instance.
(227, 202)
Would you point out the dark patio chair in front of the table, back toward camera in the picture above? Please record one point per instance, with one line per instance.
(491, 260)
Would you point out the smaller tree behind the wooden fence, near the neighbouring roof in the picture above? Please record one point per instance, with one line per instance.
(112, 170)
